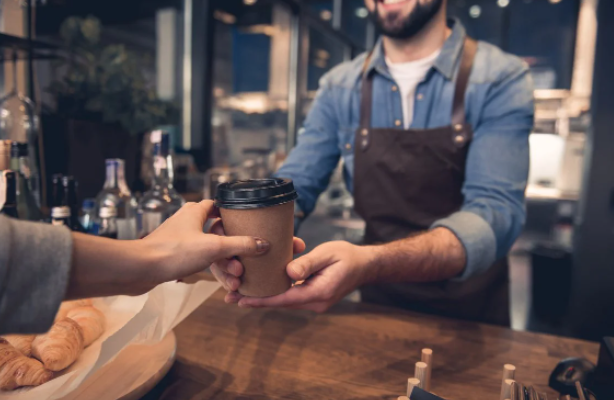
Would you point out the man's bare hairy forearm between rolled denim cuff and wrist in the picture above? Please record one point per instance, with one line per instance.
(431, 256)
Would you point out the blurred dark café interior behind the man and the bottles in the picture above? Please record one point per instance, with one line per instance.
(232, 81)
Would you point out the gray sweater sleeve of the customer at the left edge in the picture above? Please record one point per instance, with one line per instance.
(34, 271)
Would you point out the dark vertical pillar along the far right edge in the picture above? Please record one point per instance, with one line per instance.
(592, 311)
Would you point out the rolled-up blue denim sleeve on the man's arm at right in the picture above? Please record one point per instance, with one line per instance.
(493, 212)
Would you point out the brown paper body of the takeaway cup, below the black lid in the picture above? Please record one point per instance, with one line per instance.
(265, 275)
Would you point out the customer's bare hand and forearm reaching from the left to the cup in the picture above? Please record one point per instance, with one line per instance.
(176, 250)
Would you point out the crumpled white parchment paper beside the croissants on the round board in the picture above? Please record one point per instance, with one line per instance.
(144, 319)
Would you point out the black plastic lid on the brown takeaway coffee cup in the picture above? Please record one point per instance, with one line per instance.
(255, 193)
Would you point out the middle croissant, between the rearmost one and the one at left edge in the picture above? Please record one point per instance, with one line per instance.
(61, 346)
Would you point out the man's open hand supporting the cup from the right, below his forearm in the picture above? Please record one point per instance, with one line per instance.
(331, 271)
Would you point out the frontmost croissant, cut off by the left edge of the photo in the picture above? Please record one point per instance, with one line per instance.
(18, 370)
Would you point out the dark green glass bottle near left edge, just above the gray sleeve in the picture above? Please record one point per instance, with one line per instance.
(20, 163)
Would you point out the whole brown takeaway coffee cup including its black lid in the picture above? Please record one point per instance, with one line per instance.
(261, 208)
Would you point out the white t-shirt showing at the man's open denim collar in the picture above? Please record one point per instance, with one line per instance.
(408, 76)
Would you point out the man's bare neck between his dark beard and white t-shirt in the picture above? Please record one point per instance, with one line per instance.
(430, 39)
